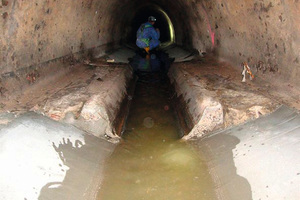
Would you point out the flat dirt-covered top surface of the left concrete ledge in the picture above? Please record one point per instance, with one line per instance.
(63, 90)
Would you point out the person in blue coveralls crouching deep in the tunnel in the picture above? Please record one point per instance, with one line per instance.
(148, 36)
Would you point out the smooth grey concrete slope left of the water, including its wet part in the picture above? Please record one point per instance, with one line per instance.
(44, 159)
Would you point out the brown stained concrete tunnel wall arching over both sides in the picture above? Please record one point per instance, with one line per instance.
(256, 31)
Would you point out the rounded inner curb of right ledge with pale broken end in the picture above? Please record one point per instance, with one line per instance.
(206, 111)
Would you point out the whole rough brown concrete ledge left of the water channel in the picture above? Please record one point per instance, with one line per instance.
(87, 96)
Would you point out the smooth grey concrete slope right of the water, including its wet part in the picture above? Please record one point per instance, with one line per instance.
(257, 160)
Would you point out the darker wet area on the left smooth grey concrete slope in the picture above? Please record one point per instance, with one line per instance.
(83, 179)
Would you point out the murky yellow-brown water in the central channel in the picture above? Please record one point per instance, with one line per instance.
(152, 162)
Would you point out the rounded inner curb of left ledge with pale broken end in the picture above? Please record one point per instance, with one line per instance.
(100, 110)
